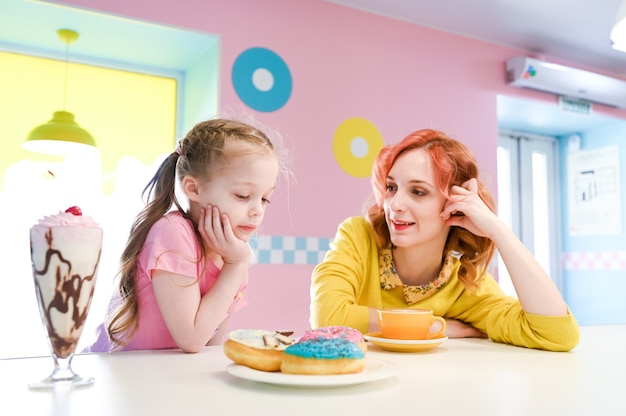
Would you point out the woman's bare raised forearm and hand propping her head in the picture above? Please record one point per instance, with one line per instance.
(536, 291)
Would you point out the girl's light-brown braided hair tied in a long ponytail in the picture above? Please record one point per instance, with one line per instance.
(202, 147)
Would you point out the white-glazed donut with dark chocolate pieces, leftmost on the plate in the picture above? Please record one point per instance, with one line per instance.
(257, 348)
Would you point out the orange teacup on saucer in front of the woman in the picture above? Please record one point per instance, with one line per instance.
(415, 324)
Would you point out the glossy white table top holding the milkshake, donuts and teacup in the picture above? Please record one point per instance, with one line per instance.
(460, 377)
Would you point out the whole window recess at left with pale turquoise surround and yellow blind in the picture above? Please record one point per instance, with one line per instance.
(135, 104)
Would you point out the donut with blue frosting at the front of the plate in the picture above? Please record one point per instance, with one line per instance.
(323, 356)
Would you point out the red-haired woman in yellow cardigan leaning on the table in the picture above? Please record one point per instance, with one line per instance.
(426, 243)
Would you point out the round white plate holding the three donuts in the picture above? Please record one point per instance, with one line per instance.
(374, 370)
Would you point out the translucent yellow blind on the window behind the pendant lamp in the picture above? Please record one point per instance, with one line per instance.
(129, 114)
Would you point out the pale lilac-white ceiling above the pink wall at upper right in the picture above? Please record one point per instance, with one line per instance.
(572, 30)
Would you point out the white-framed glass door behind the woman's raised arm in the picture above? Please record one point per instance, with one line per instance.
(528, 199)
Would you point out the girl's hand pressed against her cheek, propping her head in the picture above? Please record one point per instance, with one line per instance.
(217, 233)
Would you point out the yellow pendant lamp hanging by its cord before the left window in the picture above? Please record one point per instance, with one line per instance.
(61, 135)
